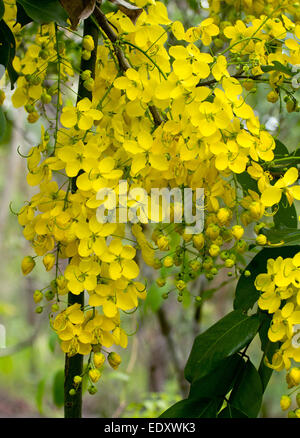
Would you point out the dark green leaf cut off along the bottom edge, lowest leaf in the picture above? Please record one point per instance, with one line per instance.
(204, 408)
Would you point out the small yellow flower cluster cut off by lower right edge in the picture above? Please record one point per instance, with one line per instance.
(280, 297)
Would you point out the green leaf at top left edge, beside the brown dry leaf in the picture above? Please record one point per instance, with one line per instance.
(45, 11)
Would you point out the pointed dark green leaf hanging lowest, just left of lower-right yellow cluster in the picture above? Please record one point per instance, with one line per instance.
(246, 395)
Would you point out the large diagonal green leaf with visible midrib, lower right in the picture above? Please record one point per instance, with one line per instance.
(223, 339)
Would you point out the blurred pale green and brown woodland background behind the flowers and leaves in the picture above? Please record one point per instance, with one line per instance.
(150, 378)
